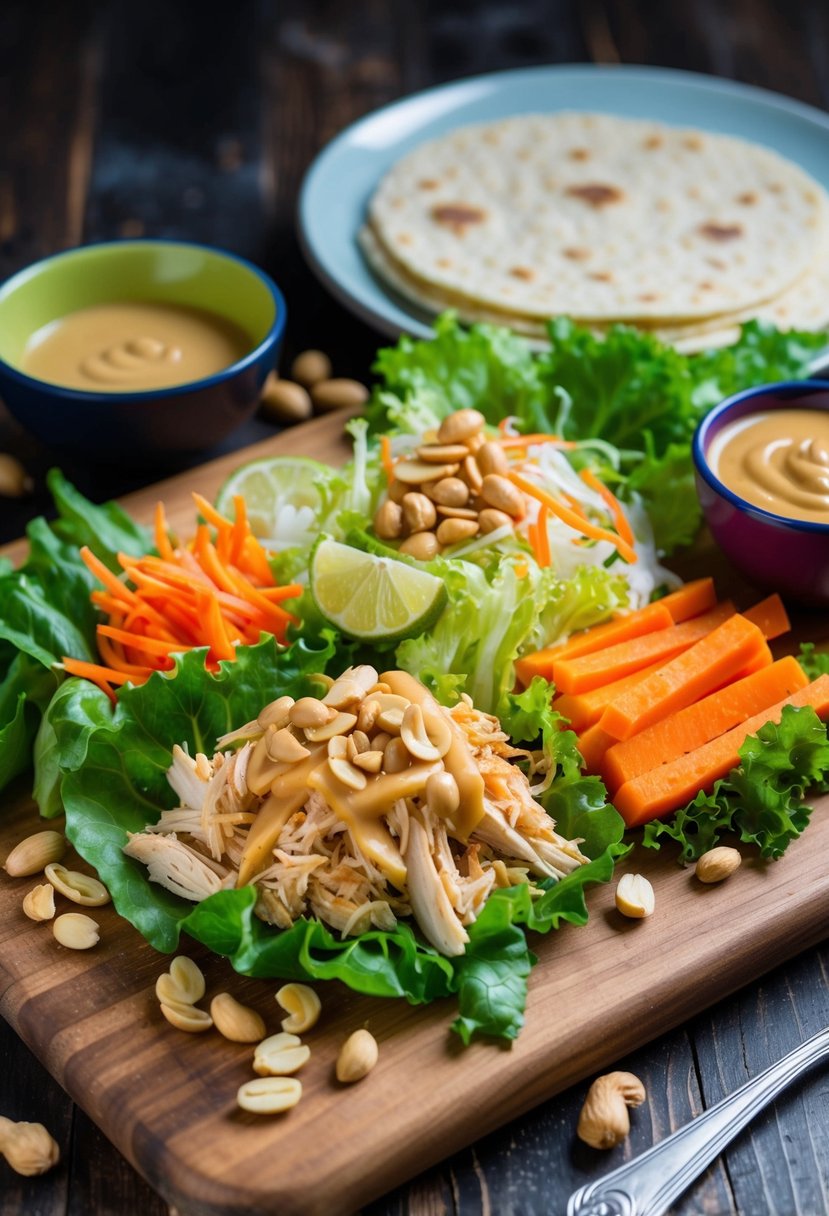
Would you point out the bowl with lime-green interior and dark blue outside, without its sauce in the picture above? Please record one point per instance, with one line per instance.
(165, 423)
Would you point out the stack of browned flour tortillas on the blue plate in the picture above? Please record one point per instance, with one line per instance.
(604, 219)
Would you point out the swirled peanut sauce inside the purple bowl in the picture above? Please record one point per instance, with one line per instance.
(777, 460)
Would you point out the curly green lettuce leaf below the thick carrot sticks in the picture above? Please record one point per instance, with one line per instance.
(763, 800)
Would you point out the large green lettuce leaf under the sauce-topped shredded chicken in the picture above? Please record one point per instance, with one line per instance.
(110, 765)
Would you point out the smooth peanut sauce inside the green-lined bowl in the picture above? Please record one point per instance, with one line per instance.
(133, 346)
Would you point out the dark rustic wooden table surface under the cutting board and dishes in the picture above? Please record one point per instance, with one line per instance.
(128, 120)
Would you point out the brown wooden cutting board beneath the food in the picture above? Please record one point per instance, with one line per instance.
(167, 1100)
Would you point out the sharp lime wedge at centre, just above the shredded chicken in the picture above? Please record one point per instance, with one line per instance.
(374, 599)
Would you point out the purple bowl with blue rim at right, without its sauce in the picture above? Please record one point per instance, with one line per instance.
(774, 551)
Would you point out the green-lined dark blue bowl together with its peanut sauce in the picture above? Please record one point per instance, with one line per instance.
(138, 351)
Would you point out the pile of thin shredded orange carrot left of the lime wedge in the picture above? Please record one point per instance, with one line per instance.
(217, 592)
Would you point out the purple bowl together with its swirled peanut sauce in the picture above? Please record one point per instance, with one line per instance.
(763, 476)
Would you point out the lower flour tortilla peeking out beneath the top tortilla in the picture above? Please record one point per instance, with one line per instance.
(805, 306)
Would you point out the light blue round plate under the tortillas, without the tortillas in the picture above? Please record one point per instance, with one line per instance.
(345, 176)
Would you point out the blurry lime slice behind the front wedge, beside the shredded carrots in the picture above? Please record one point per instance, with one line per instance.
(284, 496)
